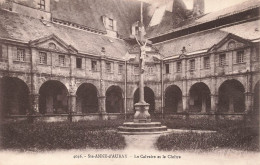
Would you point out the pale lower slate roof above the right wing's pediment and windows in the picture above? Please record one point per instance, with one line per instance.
(205, 40)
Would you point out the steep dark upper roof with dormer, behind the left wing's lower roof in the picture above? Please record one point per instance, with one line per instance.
(89, 12)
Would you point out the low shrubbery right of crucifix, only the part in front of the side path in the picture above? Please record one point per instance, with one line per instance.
(243, 138)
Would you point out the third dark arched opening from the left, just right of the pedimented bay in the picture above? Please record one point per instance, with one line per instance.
(87, 100)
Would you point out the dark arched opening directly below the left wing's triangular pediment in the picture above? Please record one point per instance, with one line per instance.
(53, 97)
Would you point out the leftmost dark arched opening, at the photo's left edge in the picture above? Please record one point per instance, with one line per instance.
(14, 96)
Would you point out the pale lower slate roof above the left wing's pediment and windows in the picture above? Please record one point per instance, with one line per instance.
(23, 28)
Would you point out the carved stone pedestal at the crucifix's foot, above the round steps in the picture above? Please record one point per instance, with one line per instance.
(141, 113)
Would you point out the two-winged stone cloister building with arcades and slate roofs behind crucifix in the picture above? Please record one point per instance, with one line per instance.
(61, 58)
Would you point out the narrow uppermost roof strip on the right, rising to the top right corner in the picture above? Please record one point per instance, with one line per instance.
(173, 26)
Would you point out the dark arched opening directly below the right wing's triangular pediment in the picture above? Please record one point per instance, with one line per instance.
(231, 97)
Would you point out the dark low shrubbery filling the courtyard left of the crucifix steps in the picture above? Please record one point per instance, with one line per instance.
(61, 135)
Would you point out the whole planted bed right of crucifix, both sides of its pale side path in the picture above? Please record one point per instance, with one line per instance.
(230, 134)
